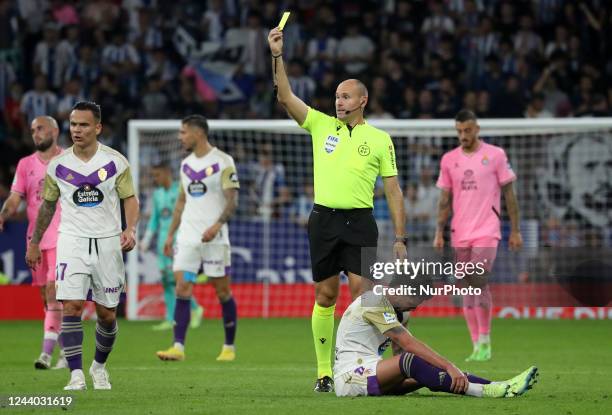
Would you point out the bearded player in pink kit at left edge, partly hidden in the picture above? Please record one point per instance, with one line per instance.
(28, 185)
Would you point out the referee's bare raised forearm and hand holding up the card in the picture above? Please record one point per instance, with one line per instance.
(296, 108)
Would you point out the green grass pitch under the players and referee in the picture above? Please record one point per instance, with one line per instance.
(274, 372)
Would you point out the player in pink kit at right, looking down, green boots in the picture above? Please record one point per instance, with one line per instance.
(473, 176)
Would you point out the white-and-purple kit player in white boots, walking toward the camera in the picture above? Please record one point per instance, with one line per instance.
(89, 179)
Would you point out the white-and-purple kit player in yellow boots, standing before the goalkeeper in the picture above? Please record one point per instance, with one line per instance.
(207, 198)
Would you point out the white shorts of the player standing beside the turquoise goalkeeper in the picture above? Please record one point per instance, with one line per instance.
(215, 258)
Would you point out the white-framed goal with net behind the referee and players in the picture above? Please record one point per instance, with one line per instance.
(564, 189)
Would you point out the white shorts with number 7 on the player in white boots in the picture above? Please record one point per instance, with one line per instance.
(84, 263)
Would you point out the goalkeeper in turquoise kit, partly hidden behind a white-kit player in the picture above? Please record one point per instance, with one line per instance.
(164, 199)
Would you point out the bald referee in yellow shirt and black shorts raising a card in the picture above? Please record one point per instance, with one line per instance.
(348, 154)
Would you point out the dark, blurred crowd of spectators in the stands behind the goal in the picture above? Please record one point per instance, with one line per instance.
(420, 59)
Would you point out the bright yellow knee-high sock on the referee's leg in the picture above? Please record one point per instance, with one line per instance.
(323, 333)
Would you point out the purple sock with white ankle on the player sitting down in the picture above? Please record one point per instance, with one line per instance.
(435, 379)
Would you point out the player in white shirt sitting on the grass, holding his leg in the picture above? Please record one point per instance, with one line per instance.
(367, 328)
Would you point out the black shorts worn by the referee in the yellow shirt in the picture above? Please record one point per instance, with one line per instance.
(341, 240)
